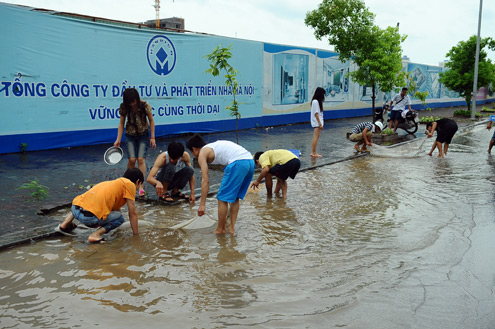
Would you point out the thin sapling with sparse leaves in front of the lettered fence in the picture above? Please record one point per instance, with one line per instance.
(219, 61)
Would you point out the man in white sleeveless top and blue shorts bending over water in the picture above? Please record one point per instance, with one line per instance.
(237, 175)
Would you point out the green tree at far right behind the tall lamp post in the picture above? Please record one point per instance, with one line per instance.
(460, 74)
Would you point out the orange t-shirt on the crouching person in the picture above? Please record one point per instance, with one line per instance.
(107, 196)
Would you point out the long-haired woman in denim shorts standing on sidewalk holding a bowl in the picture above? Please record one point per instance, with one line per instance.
(139, 124)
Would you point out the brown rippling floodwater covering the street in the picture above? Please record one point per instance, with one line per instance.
(397, 239)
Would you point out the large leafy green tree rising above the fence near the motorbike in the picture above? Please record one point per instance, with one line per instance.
(349, 27)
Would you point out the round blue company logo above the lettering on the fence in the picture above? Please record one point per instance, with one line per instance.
(161, 55)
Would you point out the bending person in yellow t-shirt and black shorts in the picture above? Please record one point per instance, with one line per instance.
(279, 163)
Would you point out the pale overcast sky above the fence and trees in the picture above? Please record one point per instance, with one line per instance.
(432, 27)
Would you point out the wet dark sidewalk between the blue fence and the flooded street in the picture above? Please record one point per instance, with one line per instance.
(68, 172)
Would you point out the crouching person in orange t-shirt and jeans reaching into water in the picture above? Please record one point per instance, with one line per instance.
(100, 206)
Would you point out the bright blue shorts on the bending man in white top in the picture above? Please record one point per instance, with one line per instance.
(237, 177)
